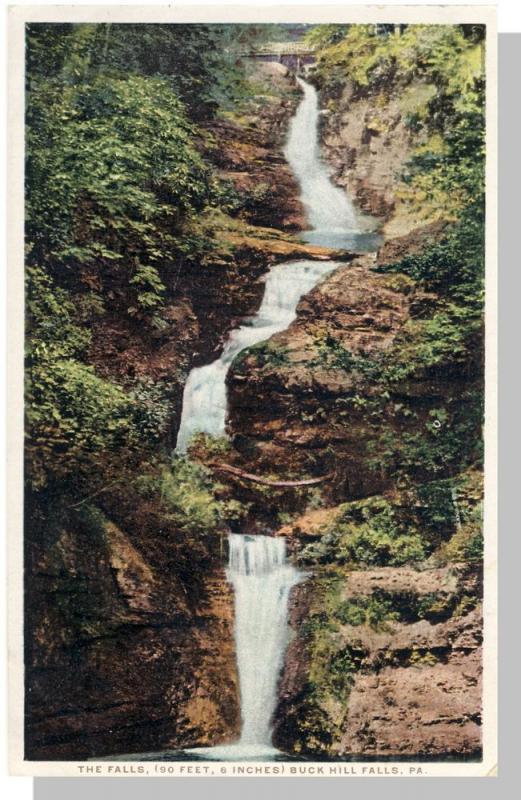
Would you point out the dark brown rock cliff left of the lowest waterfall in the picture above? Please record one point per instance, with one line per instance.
(130, 650)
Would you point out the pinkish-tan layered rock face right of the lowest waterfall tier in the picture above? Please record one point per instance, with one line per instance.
(408, 688)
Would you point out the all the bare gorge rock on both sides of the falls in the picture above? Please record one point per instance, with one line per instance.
(373, 389)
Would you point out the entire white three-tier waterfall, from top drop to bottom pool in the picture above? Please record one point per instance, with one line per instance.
(258, 569)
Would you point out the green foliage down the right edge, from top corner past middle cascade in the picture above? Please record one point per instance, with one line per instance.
(436, 75)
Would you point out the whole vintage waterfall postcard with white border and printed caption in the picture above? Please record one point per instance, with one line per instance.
(252, 473)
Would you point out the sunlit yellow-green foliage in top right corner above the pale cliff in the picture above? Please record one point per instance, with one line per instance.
(437, 72)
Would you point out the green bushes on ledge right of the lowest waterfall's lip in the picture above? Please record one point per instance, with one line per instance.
(441, 519)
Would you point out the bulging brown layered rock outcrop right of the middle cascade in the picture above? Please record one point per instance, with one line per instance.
(298, 403)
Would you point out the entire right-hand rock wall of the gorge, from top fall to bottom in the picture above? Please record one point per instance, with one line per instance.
(382, 662)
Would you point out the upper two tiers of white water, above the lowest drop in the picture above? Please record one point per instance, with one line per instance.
(335, 224)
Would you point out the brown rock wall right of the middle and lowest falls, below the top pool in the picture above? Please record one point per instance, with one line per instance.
(408, 684)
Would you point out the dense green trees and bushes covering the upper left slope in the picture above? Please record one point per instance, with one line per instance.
(116, 189)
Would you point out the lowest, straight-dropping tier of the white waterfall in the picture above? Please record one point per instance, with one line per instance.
(262, 579)
